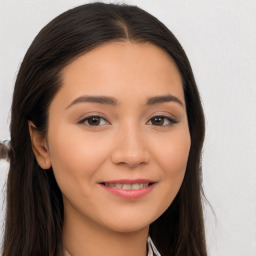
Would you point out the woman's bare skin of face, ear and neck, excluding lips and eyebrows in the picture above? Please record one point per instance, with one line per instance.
(126, 143)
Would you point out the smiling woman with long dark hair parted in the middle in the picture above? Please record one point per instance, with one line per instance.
(106, 136)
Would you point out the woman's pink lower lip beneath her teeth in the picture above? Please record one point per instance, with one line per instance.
(129, 194)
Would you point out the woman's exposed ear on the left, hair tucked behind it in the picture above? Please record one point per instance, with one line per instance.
(39, 146)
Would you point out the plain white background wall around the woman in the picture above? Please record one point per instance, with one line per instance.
(219, 37)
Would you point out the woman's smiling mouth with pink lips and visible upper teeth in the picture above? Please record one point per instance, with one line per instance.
(130, 189)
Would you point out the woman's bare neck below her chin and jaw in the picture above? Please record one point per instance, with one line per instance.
(81, 236)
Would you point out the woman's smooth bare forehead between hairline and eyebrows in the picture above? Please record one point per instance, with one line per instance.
(122, 68)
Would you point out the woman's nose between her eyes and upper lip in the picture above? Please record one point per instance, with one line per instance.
(130, 148)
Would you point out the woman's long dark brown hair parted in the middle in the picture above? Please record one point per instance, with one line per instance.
(34, 213)
